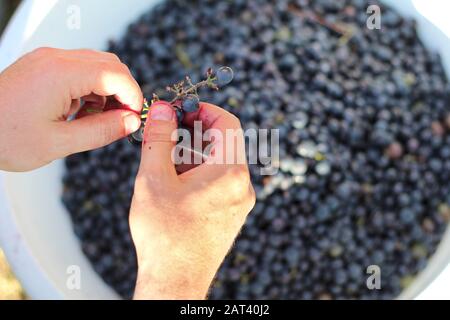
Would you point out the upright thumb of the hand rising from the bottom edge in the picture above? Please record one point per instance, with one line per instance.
(159, 141)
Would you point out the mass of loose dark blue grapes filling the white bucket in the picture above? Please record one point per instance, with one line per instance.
(364, 122)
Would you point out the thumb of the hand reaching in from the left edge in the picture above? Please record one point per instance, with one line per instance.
(100, 129)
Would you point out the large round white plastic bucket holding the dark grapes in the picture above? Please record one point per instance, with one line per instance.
(35, 229)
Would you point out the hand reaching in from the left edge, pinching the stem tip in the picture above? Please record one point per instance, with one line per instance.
(43, 88)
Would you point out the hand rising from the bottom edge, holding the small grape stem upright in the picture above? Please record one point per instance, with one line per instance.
(184, 225)
